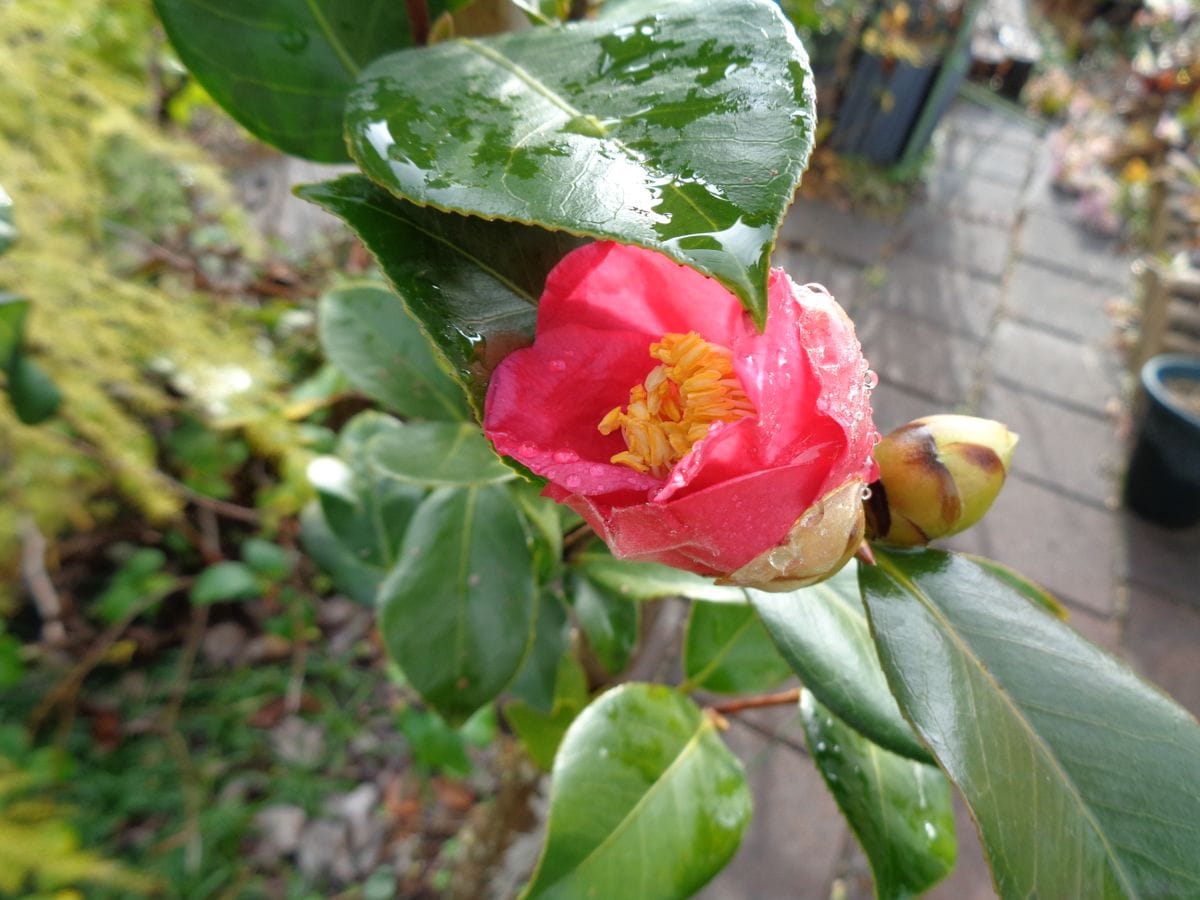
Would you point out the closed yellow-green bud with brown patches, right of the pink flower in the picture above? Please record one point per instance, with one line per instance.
(939, 476)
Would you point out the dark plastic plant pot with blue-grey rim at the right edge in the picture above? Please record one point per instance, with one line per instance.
(1163, 483)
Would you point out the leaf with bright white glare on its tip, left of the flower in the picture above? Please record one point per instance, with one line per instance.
(368, 512)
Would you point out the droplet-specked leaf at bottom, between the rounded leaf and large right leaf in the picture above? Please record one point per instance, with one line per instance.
(902, 811)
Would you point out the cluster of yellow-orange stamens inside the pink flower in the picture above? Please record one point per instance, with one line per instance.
(680, 401)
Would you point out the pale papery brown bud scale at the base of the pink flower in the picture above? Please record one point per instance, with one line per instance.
(817, 548)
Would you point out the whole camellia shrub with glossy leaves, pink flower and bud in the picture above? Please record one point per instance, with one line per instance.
(596, 391)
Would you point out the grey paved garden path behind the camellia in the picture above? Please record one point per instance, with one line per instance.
(987, 298)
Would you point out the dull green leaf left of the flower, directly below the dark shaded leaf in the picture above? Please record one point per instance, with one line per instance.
(367, 332)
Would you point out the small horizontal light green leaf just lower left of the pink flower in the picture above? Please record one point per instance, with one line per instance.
(439, 454)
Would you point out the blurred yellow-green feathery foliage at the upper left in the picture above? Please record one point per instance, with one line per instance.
(97, 187)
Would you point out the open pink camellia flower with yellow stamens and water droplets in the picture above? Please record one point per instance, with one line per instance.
(659, 413)
